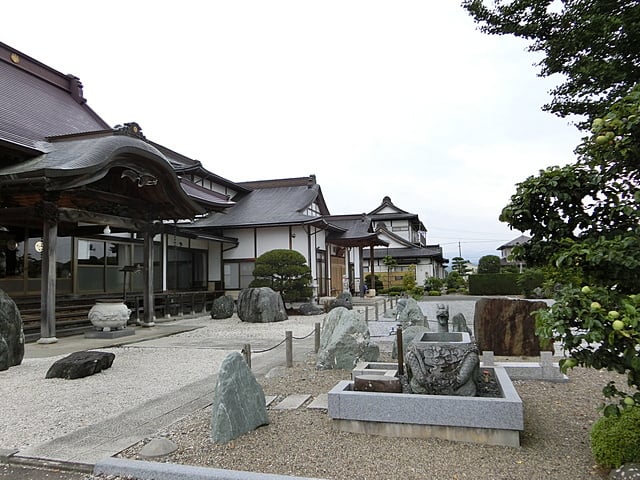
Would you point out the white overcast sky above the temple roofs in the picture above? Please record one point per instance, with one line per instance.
(405, 99)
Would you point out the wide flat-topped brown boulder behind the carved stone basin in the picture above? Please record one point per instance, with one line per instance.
(506, 326)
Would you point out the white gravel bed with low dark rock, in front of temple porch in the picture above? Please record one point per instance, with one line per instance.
(35, 409)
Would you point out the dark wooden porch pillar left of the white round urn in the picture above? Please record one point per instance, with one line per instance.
(48, 282)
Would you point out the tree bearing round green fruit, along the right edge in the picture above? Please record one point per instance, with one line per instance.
(585, 222)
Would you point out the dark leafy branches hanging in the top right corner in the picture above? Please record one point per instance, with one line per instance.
(591, 44)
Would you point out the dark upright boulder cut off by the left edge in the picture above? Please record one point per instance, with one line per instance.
(11, 333)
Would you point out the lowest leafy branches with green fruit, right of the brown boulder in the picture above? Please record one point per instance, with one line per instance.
(599, 328)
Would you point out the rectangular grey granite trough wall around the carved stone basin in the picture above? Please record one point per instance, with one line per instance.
(485, 420)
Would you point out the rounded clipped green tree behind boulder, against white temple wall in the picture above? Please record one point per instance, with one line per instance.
(284, 271)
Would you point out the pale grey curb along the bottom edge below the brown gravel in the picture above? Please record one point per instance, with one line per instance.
(169, 471)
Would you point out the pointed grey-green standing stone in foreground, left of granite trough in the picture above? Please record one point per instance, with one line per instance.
(239, 404)
